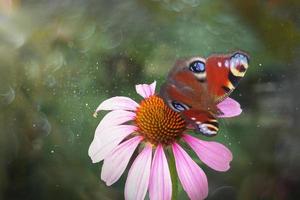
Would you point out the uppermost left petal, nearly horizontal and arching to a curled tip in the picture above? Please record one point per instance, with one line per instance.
(118, 103)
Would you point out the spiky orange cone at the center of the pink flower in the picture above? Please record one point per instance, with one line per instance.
(157, 122)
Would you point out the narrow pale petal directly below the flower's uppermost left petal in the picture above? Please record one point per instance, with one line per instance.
(115, 117)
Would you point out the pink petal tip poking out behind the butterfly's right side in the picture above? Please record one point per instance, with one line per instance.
(229, 107)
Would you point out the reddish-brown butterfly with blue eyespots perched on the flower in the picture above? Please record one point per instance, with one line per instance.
(196, 85)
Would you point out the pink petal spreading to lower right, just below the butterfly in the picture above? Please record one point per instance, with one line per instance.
(213, 154)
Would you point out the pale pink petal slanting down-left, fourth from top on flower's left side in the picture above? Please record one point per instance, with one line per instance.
(115, 164)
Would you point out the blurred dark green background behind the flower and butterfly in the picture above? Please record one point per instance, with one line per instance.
(59, 59)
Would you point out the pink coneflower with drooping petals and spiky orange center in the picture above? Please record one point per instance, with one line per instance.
(153, 126)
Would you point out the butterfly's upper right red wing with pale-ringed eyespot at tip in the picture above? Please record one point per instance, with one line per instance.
(224, 73)
